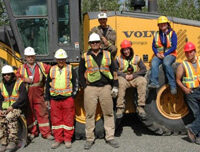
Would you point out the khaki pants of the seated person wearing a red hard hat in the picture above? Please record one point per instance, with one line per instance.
(139, 83)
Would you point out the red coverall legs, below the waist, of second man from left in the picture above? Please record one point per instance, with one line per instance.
(38, 113)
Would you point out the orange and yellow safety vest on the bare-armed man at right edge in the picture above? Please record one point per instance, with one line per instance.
(192, 76)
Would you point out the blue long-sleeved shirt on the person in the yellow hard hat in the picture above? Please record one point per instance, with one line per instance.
(163, 39)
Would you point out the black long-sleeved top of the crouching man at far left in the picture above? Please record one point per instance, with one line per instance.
(23, 96)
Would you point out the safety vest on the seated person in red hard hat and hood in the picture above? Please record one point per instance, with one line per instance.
(123, 63)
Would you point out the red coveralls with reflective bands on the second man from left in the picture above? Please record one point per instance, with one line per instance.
(39, 111)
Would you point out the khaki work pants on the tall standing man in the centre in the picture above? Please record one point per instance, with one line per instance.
(93, 95)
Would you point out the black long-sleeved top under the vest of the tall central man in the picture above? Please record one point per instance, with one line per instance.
(104, 80)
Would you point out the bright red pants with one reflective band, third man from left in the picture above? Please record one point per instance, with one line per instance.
(62, 118)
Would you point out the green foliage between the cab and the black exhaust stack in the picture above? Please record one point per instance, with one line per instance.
(99, 5)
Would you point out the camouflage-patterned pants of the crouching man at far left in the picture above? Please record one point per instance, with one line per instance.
(9, 127)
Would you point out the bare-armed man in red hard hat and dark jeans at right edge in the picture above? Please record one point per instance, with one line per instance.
(187, 77)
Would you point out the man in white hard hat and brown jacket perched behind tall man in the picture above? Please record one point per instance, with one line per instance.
(106, 33)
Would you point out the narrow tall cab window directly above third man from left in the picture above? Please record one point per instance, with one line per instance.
(63, 21)
